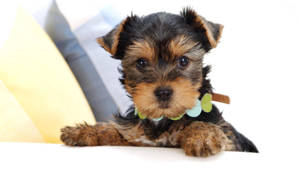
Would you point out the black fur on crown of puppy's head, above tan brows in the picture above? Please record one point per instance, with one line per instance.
(160, 27)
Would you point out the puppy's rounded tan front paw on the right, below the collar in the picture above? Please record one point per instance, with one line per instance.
(203, 139)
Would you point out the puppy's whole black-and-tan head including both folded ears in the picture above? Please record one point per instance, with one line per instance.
(162, 59)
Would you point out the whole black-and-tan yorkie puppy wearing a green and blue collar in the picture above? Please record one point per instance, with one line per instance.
(163, 73)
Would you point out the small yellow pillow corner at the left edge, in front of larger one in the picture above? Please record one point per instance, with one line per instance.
(15, 124)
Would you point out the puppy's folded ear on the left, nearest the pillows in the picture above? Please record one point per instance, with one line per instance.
(110, 41)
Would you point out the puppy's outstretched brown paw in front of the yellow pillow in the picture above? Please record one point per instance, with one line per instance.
(81, 135)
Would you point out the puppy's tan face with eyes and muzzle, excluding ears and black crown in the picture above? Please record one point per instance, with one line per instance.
(163, 78)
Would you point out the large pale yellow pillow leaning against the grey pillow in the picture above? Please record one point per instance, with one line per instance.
(36, 74)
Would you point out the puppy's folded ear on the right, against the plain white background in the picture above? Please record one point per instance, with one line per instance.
(211, 30)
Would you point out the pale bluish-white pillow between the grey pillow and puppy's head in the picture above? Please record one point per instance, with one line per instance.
(106, 66)
